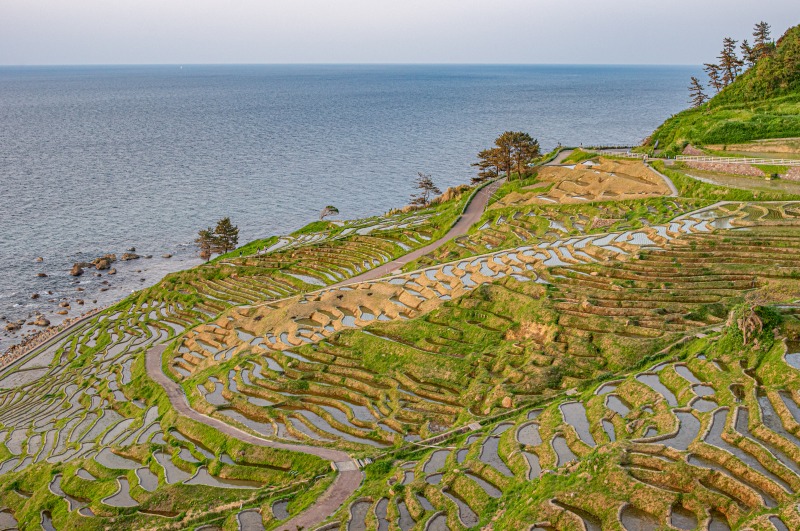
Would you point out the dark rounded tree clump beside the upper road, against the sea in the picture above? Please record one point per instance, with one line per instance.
(513, 151)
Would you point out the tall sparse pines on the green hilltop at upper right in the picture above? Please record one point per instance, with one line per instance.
(730, 65)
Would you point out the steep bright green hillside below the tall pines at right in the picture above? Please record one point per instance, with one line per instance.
(762, 103)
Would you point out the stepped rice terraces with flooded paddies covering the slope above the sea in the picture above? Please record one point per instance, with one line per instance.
(625, 365)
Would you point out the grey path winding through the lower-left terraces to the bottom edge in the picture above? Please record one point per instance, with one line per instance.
(347, 480)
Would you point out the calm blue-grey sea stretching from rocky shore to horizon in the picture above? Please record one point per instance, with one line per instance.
(98, 159)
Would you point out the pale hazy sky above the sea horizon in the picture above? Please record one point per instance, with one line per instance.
(378, 31)
